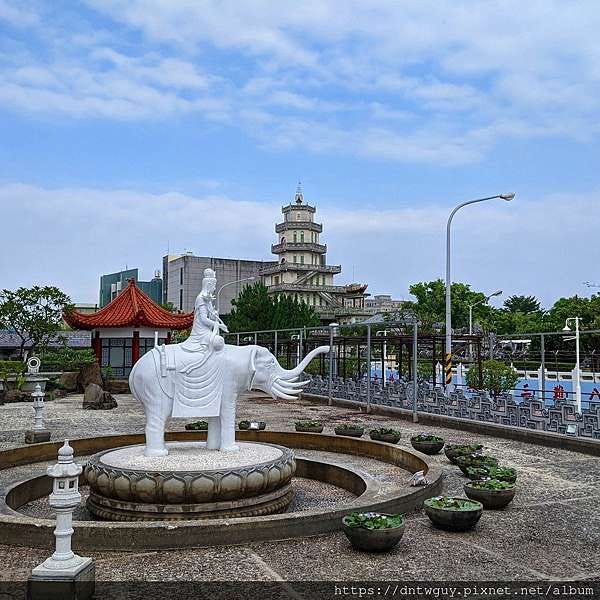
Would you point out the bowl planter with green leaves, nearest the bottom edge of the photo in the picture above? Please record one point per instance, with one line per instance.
(373, 532)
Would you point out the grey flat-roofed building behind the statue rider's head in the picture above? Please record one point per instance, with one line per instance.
(182, 279)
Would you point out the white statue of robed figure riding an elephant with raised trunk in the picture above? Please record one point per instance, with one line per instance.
(204, 376)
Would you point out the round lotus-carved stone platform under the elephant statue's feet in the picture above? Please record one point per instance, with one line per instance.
(191, 482)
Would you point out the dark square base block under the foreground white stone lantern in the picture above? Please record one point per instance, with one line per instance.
(78, 585)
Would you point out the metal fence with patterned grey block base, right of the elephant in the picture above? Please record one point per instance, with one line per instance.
(377, 365)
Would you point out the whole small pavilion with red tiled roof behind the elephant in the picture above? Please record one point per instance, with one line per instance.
(125, 329)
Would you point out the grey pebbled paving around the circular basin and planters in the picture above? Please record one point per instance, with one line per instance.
(550, 531)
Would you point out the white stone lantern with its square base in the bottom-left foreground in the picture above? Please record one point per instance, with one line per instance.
(65, 574)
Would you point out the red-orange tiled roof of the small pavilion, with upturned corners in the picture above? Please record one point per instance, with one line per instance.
(131, 308)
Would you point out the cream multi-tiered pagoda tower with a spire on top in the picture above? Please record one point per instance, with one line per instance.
(302, 268)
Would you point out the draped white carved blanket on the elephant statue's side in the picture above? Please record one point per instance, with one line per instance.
(193, 379)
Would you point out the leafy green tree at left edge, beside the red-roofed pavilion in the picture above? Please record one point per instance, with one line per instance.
(34, 314)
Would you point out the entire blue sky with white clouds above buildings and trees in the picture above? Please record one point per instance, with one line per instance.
(128, 127)
